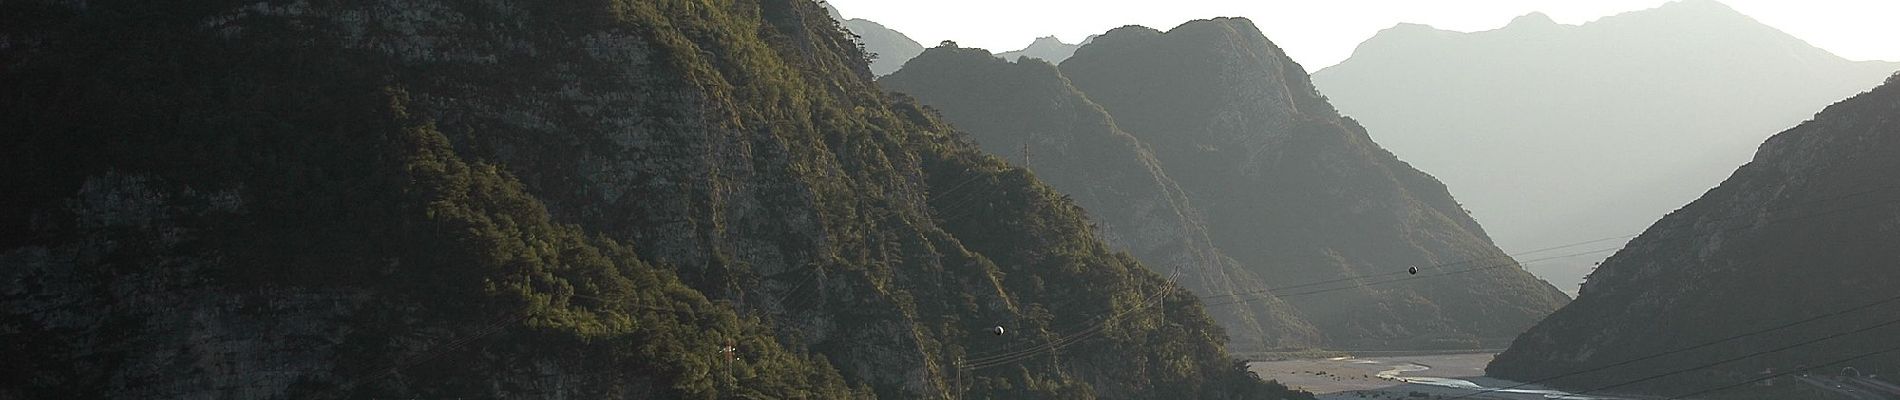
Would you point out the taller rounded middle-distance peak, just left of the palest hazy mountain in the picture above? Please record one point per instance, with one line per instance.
(1302, 196)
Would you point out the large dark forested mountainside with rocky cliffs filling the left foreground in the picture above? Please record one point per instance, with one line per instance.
(522, 200)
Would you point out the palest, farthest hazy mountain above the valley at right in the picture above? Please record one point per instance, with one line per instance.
(1565, 134)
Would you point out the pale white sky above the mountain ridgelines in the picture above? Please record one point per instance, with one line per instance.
(1321, 33)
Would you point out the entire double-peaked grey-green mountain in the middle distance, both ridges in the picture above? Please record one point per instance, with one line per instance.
(1289, 191)
